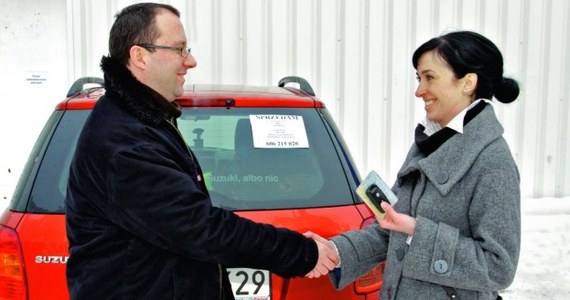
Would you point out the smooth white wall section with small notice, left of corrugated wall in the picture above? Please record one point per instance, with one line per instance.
(33, 77)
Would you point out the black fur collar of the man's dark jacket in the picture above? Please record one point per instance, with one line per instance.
(140, 100)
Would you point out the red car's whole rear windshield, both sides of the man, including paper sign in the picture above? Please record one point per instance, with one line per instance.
(251, 158)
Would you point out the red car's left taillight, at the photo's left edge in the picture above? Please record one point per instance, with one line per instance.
(12, 277)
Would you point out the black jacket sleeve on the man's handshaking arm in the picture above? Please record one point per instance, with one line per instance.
(167, 208)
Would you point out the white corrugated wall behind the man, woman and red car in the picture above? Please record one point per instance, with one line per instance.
(357, 56)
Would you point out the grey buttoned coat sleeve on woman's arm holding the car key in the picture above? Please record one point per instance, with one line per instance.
(485, 260)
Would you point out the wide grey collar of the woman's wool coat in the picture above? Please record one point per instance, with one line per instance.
(447, 165)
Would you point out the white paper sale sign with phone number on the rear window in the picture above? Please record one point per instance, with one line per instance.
(278, 131)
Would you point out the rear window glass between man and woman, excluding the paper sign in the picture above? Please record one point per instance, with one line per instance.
(241, 176)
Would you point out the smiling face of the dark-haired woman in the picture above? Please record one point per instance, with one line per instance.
(444, 95)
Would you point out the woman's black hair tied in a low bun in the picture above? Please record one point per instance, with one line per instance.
(470, 52)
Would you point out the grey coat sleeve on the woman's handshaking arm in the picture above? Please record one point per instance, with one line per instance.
(360, 251)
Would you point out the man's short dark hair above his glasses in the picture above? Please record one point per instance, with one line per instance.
(135, 24)
